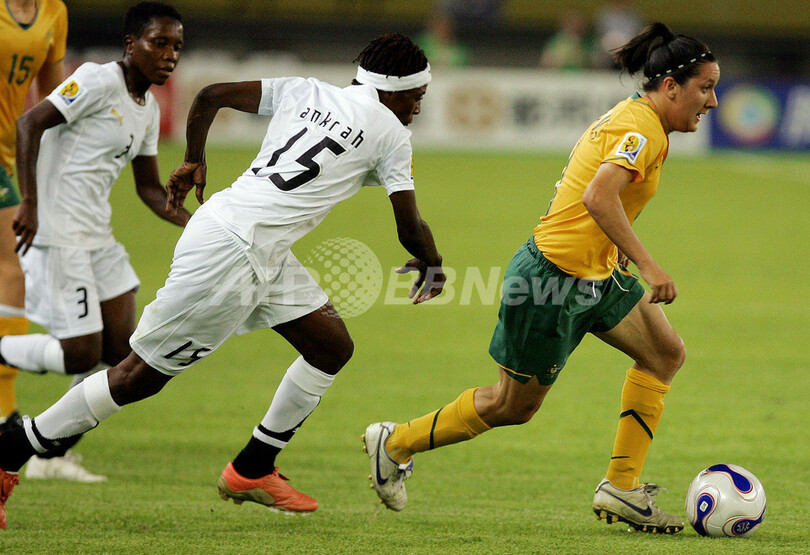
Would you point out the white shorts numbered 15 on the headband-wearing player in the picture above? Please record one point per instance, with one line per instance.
(212, 293)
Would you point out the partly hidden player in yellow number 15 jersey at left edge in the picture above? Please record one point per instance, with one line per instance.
(32, 44)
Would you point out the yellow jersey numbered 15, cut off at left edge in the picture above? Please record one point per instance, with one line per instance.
(23, 50)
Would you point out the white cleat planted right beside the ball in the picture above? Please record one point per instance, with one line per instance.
(636, 507)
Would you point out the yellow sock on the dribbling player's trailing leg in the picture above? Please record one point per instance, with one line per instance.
(452, 423)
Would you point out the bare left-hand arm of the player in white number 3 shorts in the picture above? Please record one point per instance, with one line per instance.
(30, 127)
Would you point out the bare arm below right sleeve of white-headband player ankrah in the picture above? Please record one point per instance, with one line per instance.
(415, 235)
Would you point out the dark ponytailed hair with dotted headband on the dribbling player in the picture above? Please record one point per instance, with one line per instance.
(658, 53)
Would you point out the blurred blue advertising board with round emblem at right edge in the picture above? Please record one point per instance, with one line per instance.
(762, 115)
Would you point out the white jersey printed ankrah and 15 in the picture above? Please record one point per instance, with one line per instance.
(322, 145)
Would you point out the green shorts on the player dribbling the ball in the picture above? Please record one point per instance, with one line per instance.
(545, 313)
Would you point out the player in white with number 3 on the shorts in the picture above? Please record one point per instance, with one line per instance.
(71, 148)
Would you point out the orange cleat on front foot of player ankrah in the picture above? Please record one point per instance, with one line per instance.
(271, 490)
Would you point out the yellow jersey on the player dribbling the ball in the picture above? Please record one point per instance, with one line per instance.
(629, 135)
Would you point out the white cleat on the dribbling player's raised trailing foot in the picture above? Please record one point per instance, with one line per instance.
(387, 476)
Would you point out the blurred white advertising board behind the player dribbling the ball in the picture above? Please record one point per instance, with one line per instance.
(526, 110)
